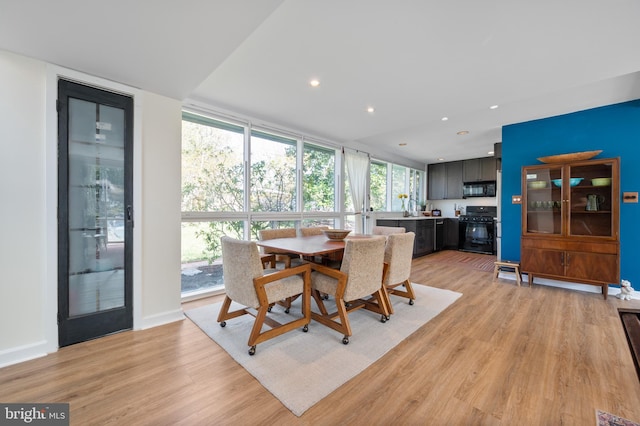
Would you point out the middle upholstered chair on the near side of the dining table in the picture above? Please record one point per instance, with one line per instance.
(356, 285)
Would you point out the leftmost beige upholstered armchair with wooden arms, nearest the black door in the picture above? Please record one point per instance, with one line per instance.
(248, 284)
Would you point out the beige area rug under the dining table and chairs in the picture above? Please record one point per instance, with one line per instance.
(302, 368)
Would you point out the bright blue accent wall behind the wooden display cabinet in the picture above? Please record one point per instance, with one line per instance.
(615, 129)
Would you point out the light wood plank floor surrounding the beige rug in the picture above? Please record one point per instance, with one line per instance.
(500, 355)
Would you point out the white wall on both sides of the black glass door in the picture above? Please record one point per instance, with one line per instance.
(27, 276)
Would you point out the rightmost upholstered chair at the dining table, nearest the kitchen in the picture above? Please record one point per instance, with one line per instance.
(398, 254)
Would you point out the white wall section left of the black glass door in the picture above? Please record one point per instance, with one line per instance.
(22, 205)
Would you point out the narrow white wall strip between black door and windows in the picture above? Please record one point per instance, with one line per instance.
(161, 215)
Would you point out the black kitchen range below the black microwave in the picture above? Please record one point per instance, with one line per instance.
(477, 229)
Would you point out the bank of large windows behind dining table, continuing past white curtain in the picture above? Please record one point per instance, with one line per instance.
(237, 180)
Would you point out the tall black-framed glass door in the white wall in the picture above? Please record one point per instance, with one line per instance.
(95, 212)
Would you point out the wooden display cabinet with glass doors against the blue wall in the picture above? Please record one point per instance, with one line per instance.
(571, 222)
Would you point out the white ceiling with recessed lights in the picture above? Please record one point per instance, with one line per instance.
(414, 61)
